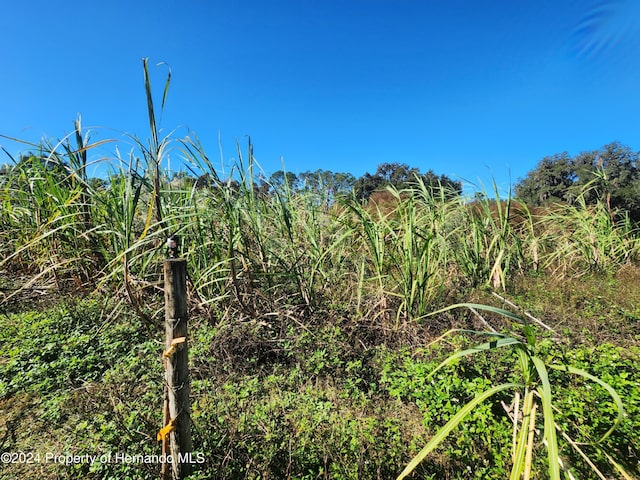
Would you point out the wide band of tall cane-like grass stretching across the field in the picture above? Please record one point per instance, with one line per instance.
(258, 249)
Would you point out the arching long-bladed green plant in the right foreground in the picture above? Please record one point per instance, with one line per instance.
(536, 393)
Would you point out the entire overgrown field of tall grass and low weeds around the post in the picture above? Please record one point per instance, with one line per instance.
(314, 349)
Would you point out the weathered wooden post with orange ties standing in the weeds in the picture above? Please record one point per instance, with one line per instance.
(176, 440)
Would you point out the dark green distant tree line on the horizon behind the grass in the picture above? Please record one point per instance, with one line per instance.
(610, 175)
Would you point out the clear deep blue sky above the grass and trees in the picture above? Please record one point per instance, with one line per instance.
(472, 89)
